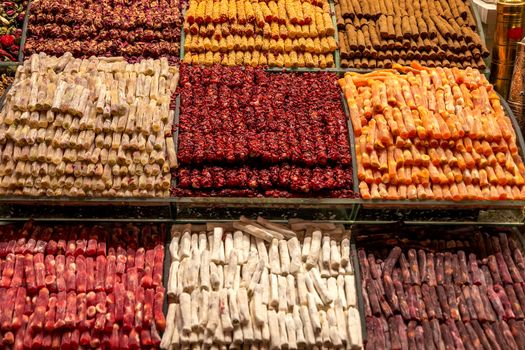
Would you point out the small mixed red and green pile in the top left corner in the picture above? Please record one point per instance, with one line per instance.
(12, 16)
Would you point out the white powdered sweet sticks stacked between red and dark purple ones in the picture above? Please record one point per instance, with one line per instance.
(263, 284)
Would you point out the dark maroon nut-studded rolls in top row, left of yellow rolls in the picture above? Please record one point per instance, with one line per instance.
(133, 29)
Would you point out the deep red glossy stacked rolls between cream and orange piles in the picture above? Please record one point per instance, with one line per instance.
(247, 132)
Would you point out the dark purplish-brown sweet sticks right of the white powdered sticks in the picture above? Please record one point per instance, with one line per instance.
(442, 292)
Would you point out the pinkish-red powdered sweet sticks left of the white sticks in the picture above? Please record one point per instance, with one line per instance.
(62, 287)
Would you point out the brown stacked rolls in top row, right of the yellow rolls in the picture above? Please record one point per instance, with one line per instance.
(378, 34)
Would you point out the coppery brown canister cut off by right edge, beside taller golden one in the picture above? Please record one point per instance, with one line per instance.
(517, 86)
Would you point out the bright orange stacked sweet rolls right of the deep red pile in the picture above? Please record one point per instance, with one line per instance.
(437, 134)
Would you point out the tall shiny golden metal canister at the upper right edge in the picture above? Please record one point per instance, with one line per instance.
(509, 31)
